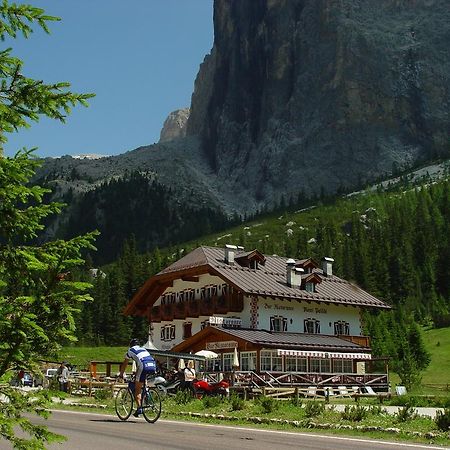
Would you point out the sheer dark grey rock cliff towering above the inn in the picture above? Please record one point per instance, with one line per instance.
(321, 94)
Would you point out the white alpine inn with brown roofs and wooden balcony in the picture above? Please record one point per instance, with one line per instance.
(261, 314)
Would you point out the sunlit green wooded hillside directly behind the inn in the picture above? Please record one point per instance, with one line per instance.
(395, 245)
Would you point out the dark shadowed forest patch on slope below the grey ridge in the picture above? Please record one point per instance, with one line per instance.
(136, 205)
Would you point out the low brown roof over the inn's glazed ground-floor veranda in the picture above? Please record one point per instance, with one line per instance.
(270, 339)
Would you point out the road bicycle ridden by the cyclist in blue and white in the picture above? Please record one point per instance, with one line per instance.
(150, 402)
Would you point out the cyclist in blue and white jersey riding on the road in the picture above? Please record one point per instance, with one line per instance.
(145, 365)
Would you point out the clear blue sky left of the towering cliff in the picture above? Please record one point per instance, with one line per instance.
(140, 58)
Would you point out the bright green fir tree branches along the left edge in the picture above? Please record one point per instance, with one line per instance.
(38, 297)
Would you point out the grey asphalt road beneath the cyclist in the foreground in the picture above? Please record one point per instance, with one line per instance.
(86, 431)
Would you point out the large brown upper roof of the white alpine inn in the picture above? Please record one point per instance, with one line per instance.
(268, 280)
